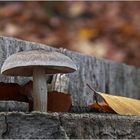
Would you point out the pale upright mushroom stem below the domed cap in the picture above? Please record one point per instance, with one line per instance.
(39, 90)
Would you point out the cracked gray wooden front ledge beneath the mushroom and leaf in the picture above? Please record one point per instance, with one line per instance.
(60, 126)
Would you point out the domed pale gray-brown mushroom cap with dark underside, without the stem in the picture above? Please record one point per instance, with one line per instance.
(23, 63)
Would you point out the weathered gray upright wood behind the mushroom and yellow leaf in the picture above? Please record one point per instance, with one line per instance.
(103, 75)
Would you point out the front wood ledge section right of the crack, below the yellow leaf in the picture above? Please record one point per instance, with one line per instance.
(100, 126)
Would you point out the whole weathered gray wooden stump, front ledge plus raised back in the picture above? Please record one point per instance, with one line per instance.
(103, 75)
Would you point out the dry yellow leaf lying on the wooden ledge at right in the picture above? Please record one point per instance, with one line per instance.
(121, 105)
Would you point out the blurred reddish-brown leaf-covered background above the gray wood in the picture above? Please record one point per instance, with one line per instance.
(103, 29)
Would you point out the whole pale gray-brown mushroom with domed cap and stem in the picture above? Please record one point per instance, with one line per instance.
(37, 63)
